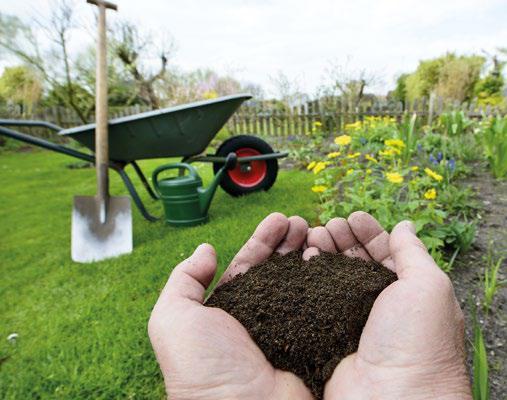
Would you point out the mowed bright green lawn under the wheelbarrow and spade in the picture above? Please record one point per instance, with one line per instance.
(82, 327)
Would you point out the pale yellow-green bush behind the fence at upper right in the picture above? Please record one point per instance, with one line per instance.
(449, 76)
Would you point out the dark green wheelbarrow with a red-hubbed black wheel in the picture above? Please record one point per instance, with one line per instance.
(182, 131)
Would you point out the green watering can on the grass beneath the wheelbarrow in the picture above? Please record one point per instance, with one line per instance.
(186, 202)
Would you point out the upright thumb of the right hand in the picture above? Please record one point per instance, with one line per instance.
(409, 253)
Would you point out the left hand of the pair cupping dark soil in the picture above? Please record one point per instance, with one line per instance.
(205, 353)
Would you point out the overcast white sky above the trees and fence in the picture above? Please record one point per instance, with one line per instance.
(254, 39)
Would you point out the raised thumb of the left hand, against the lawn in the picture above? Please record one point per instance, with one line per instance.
(192, 277)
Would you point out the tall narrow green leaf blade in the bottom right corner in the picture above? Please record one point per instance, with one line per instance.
(480, 388)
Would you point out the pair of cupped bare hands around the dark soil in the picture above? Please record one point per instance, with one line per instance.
(412, 346)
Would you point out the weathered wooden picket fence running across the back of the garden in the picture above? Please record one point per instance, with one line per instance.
(275, 118)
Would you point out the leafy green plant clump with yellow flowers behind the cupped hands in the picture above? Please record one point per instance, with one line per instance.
(377, 167)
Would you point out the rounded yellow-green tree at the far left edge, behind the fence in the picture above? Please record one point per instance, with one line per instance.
(20, 85)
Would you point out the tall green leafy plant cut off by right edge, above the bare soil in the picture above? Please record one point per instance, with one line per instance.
(494, 140)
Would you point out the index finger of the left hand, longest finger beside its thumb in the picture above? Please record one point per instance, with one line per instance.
(266, 238)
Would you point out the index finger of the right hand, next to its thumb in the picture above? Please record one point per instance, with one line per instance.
(372, 236)
